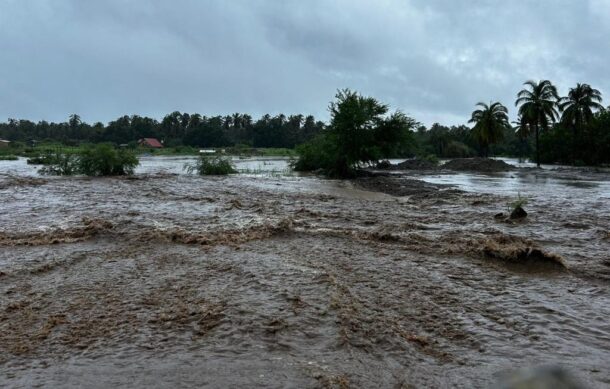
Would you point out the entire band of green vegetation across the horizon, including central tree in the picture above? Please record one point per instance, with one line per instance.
(549, 129)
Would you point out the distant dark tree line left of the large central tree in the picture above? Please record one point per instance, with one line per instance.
(174, 129)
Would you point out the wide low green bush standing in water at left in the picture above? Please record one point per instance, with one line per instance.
(100, 160)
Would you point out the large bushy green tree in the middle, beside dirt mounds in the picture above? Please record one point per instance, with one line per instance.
(360, 132)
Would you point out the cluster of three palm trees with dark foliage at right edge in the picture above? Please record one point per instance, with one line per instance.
(573, 128)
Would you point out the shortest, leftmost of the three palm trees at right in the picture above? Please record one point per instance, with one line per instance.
(490, 121)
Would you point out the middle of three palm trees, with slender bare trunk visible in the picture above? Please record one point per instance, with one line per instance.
(538, 103)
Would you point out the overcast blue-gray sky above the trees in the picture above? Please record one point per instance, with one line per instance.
(433, 59)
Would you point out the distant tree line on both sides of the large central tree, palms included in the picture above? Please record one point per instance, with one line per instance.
(550, 129)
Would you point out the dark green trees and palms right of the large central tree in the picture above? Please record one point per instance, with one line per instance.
(549, 129)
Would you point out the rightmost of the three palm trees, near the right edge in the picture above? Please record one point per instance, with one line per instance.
(577, 110)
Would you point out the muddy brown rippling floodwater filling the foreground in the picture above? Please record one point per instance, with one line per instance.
(169, 280)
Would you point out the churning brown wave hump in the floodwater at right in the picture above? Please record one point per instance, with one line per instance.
(518, 250)
